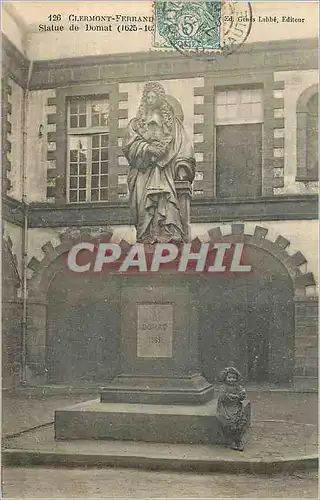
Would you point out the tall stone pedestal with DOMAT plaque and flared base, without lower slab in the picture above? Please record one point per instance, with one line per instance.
(159, 347)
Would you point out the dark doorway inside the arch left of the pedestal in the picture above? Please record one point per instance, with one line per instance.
(83, 329)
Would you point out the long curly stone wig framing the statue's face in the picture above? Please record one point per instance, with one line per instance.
(165, 109)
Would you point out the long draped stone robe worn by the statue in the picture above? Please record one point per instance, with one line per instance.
(151, 180)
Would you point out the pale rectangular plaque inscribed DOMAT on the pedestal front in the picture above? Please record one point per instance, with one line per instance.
(154, 338)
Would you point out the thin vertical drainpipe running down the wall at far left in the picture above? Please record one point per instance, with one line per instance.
(25, 229)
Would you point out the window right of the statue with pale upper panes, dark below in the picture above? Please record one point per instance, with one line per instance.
(238, 134)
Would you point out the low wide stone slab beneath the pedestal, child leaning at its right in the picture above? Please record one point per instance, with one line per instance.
(134, 422)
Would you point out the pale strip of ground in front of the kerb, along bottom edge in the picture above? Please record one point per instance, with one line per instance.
(126, 483)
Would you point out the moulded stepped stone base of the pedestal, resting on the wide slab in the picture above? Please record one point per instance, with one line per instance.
(158, 390)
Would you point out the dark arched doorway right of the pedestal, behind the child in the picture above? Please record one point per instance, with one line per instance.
(248, 321)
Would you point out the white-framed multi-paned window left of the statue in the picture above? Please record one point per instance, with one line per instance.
(88, 150)
